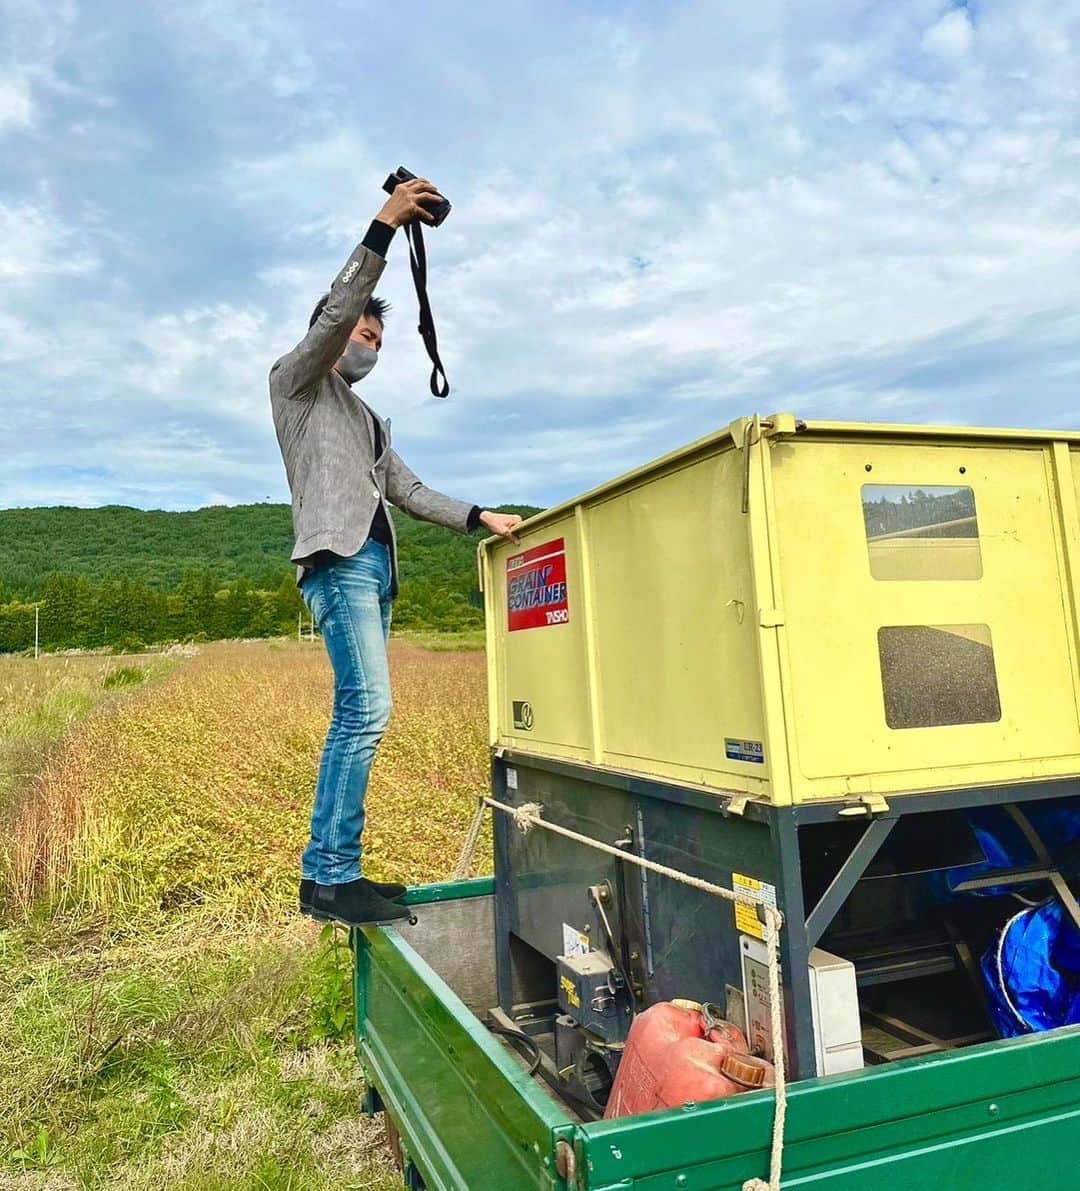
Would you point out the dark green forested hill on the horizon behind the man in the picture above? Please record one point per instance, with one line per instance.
(111, 575)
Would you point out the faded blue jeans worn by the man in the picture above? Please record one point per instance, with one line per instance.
(351, 603)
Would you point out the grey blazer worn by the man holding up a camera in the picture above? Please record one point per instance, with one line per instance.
(328, 441)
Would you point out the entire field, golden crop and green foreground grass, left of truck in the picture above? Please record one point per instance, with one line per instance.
(168, 1020)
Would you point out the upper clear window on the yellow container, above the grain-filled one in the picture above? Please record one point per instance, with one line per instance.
(917, 532)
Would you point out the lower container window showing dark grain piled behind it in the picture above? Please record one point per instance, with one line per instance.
(939, 675)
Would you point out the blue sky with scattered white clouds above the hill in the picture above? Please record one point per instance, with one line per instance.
(666, 216)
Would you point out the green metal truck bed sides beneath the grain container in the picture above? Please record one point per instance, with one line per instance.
(1003, 1115)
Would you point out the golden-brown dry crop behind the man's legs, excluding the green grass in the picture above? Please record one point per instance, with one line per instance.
(197, 793)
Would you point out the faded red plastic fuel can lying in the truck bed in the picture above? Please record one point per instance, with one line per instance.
(681, 1052)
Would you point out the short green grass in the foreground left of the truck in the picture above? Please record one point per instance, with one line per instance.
(166, 1061)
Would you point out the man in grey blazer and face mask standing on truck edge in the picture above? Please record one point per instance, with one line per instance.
(341, 472)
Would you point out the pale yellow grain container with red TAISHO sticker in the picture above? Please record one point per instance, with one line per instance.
(802, 613)
